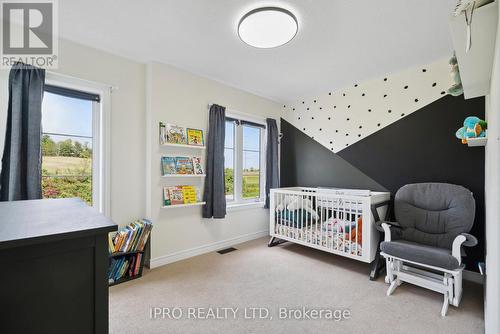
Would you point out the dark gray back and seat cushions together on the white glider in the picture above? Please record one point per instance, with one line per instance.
(430, 216)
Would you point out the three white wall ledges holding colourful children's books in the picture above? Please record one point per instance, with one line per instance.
(175, 166)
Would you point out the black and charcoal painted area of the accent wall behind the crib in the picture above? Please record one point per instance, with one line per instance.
(420, 147)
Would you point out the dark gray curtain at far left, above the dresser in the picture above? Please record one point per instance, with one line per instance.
(21, 176)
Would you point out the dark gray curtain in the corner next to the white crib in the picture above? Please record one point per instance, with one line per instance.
(272, 173)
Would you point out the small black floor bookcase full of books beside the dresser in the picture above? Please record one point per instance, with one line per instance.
(126, 251)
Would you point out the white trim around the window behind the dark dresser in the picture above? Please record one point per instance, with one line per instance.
(101, 134)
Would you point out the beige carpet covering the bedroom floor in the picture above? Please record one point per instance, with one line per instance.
(286, 276)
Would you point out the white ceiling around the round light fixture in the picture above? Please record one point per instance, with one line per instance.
(339, 41)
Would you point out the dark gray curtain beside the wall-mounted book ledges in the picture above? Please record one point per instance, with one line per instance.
(214, 193)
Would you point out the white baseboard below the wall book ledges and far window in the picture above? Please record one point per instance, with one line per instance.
(185, 254)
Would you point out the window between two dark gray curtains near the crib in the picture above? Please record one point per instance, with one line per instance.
(244, 170)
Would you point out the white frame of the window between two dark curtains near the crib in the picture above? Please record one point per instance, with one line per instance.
(238, 200)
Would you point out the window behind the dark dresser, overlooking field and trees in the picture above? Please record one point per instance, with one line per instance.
(71, 144)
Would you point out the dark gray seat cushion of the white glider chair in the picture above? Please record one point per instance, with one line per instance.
(432, 256)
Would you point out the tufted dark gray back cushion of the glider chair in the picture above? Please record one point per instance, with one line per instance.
(433, 214)
